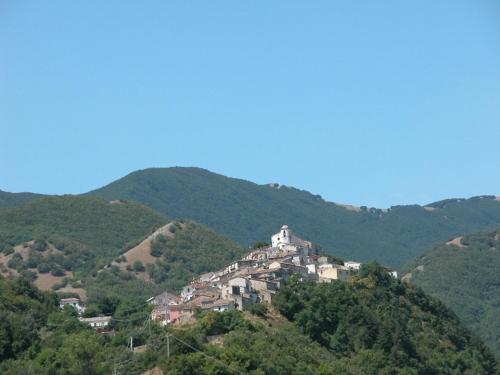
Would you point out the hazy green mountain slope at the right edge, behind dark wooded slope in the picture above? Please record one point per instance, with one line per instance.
(463, 273)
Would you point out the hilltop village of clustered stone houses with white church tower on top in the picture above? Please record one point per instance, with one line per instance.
(252, 279)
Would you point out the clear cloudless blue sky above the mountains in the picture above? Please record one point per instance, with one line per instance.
(364, 102)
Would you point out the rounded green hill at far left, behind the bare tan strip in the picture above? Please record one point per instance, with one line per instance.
(85, 232)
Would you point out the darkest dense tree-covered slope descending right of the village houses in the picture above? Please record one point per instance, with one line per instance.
(375, 324)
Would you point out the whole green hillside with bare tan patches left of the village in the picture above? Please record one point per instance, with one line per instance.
(88, 236)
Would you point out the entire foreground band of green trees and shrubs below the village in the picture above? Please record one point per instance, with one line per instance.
(372, 324)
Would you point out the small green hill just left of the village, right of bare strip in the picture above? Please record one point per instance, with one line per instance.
(191, 250)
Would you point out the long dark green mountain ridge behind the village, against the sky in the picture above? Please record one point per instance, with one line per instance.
(247, 212)
